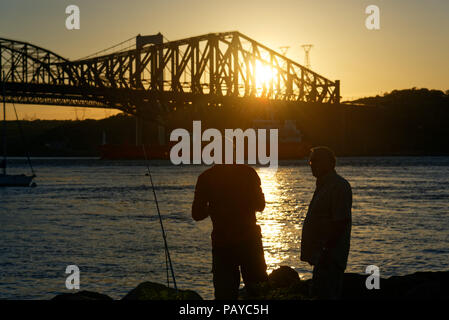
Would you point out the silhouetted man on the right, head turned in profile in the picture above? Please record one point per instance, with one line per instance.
(326, 232)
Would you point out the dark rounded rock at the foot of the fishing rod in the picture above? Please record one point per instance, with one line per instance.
(155, 291)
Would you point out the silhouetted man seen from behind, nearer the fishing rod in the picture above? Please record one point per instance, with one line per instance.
(230, 194)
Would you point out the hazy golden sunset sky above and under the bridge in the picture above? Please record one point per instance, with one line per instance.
(411, 48)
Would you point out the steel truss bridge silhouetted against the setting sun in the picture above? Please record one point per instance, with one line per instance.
(156, 76)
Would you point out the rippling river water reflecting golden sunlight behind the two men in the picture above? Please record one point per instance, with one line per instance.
(101, 216)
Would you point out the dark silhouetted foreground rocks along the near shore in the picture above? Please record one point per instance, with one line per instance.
(285, 284)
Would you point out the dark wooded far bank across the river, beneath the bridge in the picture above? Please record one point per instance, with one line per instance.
(411, 122)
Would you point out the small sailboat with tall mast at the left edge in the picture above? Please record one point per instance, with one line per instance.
(12, 180)
